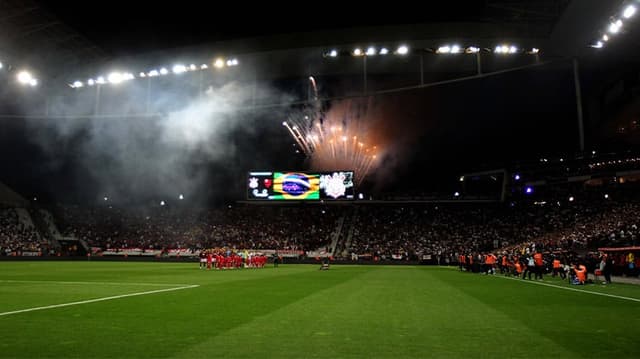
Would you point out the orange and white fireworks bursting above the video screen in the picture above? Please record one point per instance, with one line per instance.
(340, 138)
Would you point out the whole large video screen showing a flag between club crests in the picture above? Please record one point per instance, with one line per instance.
(300, 186)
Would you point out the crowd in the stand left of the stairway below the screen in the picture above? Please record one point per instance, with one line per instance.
(242, 227)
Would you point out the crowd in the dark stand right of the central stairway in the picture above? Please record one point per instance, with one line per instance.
(444, 232)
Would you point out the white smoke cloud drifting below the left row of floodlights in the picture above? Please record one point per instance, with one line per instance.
(135, 157)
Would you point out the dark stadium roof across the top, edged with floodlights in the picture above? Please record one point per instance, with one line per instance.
(68, 39)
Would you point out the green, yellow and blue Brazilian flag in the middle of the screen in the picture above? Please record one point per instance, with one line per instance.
(296, 186)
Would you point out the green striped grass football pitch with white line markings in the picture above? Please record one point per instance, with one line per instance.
(297, 311)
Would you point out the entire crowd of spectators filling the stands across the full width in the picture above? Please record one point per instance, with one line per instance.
(387, 231)
